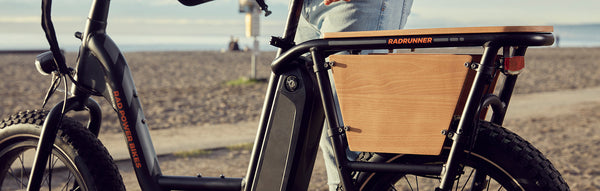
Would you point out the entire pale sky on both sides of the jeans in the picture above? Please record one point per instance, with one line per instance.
(168, 21)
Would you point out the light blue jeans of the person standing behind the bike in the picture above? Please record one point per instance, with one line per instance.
(356, 15)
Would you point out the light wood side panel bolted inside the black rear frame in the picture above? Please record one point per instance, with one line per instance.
(398, 103)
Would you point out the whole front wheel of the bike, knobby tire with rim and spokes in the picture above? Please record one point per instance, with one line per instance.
(78, 160)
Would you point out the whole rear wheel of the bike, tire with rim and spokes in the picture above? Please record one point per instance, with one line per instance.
(501, 160)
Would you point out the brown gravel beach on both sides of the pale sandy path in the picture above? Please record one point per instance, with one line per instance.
(188, 89)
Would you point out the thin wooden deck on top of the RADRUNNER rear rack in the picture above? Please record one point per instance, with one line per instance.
(438, 31)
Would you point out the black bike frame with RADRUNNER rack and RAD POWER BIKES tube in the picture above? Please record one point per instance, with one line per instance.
(298, 100)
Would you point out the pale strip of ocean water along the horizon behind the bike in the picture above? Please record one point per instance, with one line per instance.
(567, 36)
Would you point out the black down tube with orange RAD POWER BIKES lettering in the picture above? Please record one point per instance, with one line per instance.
(120, 91)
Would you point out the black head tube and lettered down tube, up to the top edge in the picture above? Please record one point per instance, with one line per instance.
(99, 52)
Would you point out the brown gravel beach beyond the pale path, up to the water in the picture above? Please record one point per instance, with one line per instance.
(189, 88)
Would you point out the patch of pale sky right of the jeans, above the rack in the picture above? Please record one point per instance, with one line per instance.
(430, 13)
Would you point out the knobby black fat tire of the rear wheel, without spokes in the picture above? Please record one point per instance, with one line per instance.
(523, 162)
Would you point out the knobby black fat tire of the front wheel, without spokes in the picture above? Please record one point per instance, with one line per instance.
(91, 159)
